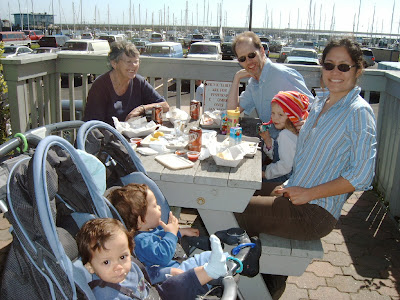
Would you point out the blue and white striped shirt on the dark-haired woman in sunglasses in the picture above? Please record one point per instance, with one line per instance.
(343, 144)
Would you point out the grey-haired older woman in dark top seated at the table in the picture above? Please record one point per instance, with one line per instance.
(121, 92)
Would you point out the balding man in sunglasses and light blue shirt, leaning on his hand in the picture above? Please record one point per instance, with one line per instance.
(266, 78)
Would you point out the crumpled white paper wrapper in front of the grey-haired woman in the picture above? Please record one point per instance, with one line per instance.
(135, 128)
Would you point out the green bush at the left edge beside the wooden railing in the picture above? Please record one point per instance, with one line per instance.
(4, 107)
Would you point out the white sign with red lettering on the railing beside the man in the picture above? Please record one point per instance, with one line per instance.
(215, 95)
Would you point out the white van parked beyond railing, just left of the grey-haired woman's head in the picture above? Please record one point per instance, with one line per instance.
(86, 47)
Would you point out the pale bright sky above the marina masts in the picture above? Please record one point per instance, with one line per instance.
(342, 15)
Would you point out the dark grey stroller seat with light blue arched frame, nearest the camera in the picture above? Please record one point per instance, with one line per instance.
(42, 192)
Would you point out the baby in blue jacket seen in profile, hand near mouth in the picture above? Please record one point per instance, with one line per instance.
(155, 241)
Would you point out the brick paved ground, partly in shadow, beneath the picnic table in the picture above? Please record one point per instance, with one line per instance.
(361, 256)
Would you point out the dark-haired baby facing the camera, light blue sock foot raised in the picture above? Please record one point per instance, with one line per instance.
(105, 247)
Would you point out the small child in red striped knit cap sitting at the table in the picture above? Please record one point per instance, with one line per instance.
(287, 108)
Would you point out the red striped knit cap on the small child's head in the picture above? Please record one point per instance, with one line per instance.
(294, 104)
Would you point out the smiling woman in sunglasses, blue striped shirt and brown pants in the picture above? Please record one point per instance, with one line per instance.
(335, 155)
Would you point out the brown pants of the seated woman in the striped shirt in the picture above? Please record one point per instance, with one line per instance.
(278, 216)
